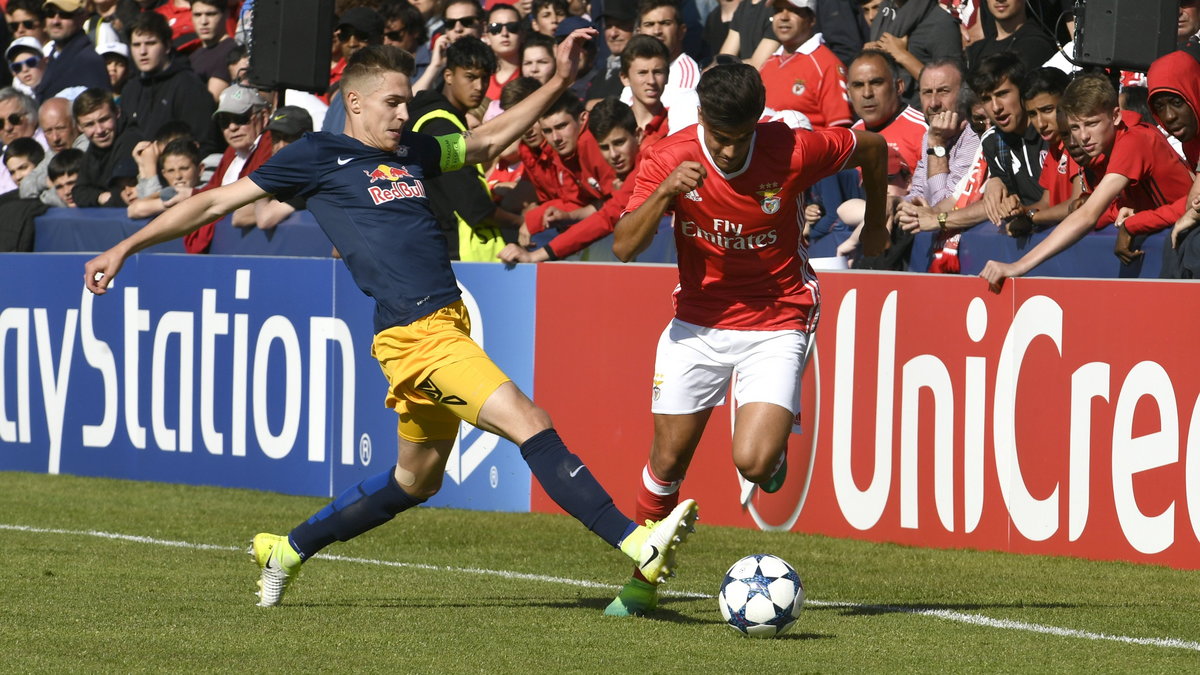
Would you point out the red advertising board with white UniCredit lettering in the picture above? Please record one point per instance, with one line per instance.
(1057, 417)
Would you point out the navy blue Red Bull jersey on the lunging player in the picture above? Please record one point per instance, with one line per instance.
(373, 207)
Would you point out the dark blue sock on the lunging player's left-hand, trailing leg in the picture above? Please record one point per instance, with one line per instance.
(362, 507)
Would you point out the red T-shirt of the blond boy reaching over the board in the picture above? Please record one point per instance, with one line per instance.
(1160, 180)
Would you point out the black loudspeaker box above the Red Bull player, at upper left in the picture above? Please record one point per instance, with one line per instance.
(290, 50)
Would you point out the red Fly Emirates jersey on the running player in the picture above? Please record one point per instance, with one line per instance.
(742, 264)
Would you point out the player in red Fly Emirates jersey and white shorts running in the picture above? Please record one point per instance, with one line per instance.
(748, 300)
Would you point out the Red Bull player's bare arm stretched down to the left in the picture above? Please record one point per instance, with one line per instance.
(175, 223)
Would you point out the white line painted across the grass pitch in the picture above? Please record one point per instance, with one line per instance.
(949, 616)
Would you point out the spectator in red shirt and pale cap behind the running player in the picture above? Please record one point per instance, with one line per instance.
(805, 75)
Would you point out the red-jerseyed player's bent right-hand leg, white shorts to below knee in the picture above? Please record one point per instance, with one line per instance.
(769, 395)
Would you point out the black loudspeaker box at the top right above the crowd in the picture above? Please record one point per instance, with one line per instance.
(1125, 34)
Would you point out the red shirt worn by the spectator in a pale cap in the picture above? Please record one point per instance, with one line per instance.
(812, 81)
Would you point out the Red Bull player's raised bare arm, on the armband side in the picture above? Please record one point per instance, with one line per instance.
(489, 140)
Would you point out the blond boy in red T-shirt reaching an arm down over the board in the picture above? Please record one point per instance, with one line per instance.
(1138, 169)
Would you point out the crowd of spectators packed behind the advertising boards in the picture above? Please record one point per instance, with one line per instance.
(139, 104)
